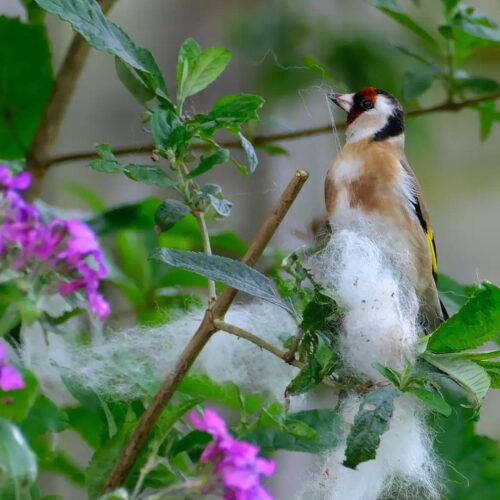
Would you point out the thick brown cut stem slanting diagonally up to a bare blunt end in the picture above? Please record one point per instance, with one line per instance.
(206, 329)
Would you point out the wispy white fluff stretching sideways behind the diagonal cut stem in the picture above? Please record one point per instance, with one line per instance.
(226, 358)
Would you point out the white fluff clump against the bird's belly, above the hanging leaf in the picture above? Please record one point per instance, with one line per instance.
(381, 307)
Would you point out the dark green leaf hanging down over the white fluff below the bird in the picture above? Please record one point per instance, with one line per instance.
(371, 421)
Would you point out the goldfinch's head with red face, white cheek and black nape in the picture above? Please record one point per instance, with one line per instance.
(372, 113)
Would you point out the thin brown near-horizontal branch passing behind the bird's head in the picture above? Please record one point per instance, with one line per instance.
(279, 136)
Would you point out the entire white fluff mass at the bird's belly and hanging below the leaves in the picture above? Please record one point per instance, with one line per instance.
(380, 325)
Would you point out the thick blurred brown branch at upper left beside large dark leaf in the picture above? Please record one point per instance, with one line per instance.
(39, 155)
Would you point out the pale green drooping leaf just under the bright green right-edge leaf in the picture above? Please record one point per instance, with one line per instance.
(468, 374)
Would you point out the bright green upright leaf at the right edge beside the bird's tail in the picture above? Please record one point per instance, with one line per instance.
(477, 322)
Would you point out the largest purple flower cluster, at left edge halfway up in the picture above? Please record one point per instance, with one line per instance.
(67, 247)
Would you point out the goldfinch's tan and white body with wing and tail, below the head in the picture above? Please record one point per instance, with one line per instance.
(371, 185)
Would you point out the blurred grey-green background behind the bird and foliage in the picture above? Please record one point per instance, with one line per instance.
(270, 40)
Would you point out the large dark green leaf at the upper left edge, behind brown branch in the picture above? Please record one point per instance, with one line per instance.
(25, 84)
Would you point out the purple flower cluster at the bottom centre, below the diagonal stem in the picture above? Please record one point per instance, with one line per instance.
(236, 464)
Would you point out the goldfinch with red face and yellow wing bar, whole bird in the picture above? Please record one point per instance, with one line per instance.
(372, 187)
